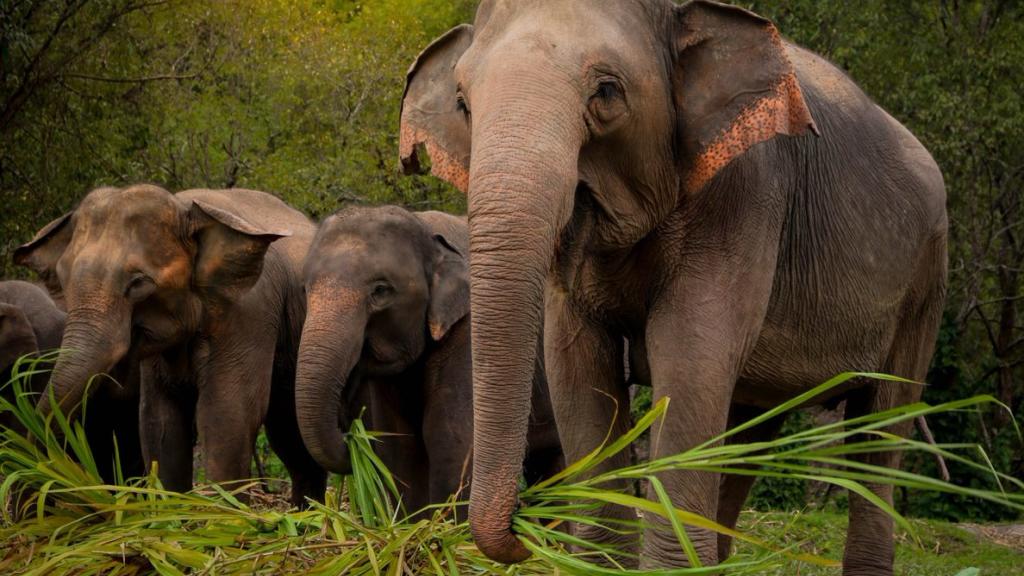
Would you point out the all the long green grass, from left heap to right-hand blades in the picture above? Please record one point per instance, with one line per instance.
(60, 517)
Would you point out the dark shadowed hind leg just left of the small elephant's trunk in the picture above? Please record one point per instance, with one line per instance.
(309, 479)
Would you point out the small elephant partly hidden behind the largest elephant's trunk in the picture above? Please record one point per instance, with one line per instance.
(388, 298)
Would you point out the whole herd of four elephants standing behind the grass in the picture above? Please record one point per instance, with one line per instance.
(671, 191)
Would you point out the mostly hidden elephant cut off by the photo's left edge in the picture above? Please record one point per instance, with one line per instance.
(32, 323)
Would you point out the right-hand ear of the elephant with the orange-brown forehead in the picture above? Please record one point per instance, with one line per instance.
(230, 254)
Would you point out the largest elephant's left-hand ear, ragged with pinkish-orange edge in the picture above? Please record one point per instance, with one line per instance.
(431, 115)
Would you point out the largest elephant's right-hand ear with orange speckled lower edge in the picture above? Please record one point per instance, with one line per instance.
(735, 88)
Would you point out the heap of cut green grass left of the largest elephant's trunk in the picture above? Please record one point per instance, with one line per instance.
(65, 520)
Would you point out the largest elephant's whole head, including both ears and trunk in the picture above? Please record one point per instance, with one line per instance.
(628, 108)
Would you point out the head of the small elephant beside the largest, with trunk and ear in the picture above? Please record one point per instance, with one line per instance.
(381, 284)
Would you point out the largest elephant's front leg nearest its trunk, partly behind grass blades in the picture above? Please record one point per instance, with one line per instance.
(590, 400)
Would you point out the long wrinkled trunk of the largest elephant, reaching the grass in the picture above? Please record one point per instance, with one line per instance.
(523, 185)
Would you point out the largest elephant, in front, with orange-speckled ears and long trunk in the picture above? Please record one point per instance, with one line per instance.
(654, 171)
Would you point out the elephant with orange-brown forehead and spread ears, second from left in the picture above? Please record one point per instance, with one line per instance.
(201, 291)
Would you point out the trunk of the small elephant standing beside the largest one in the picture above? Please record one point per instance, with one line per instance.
(332, 343)
